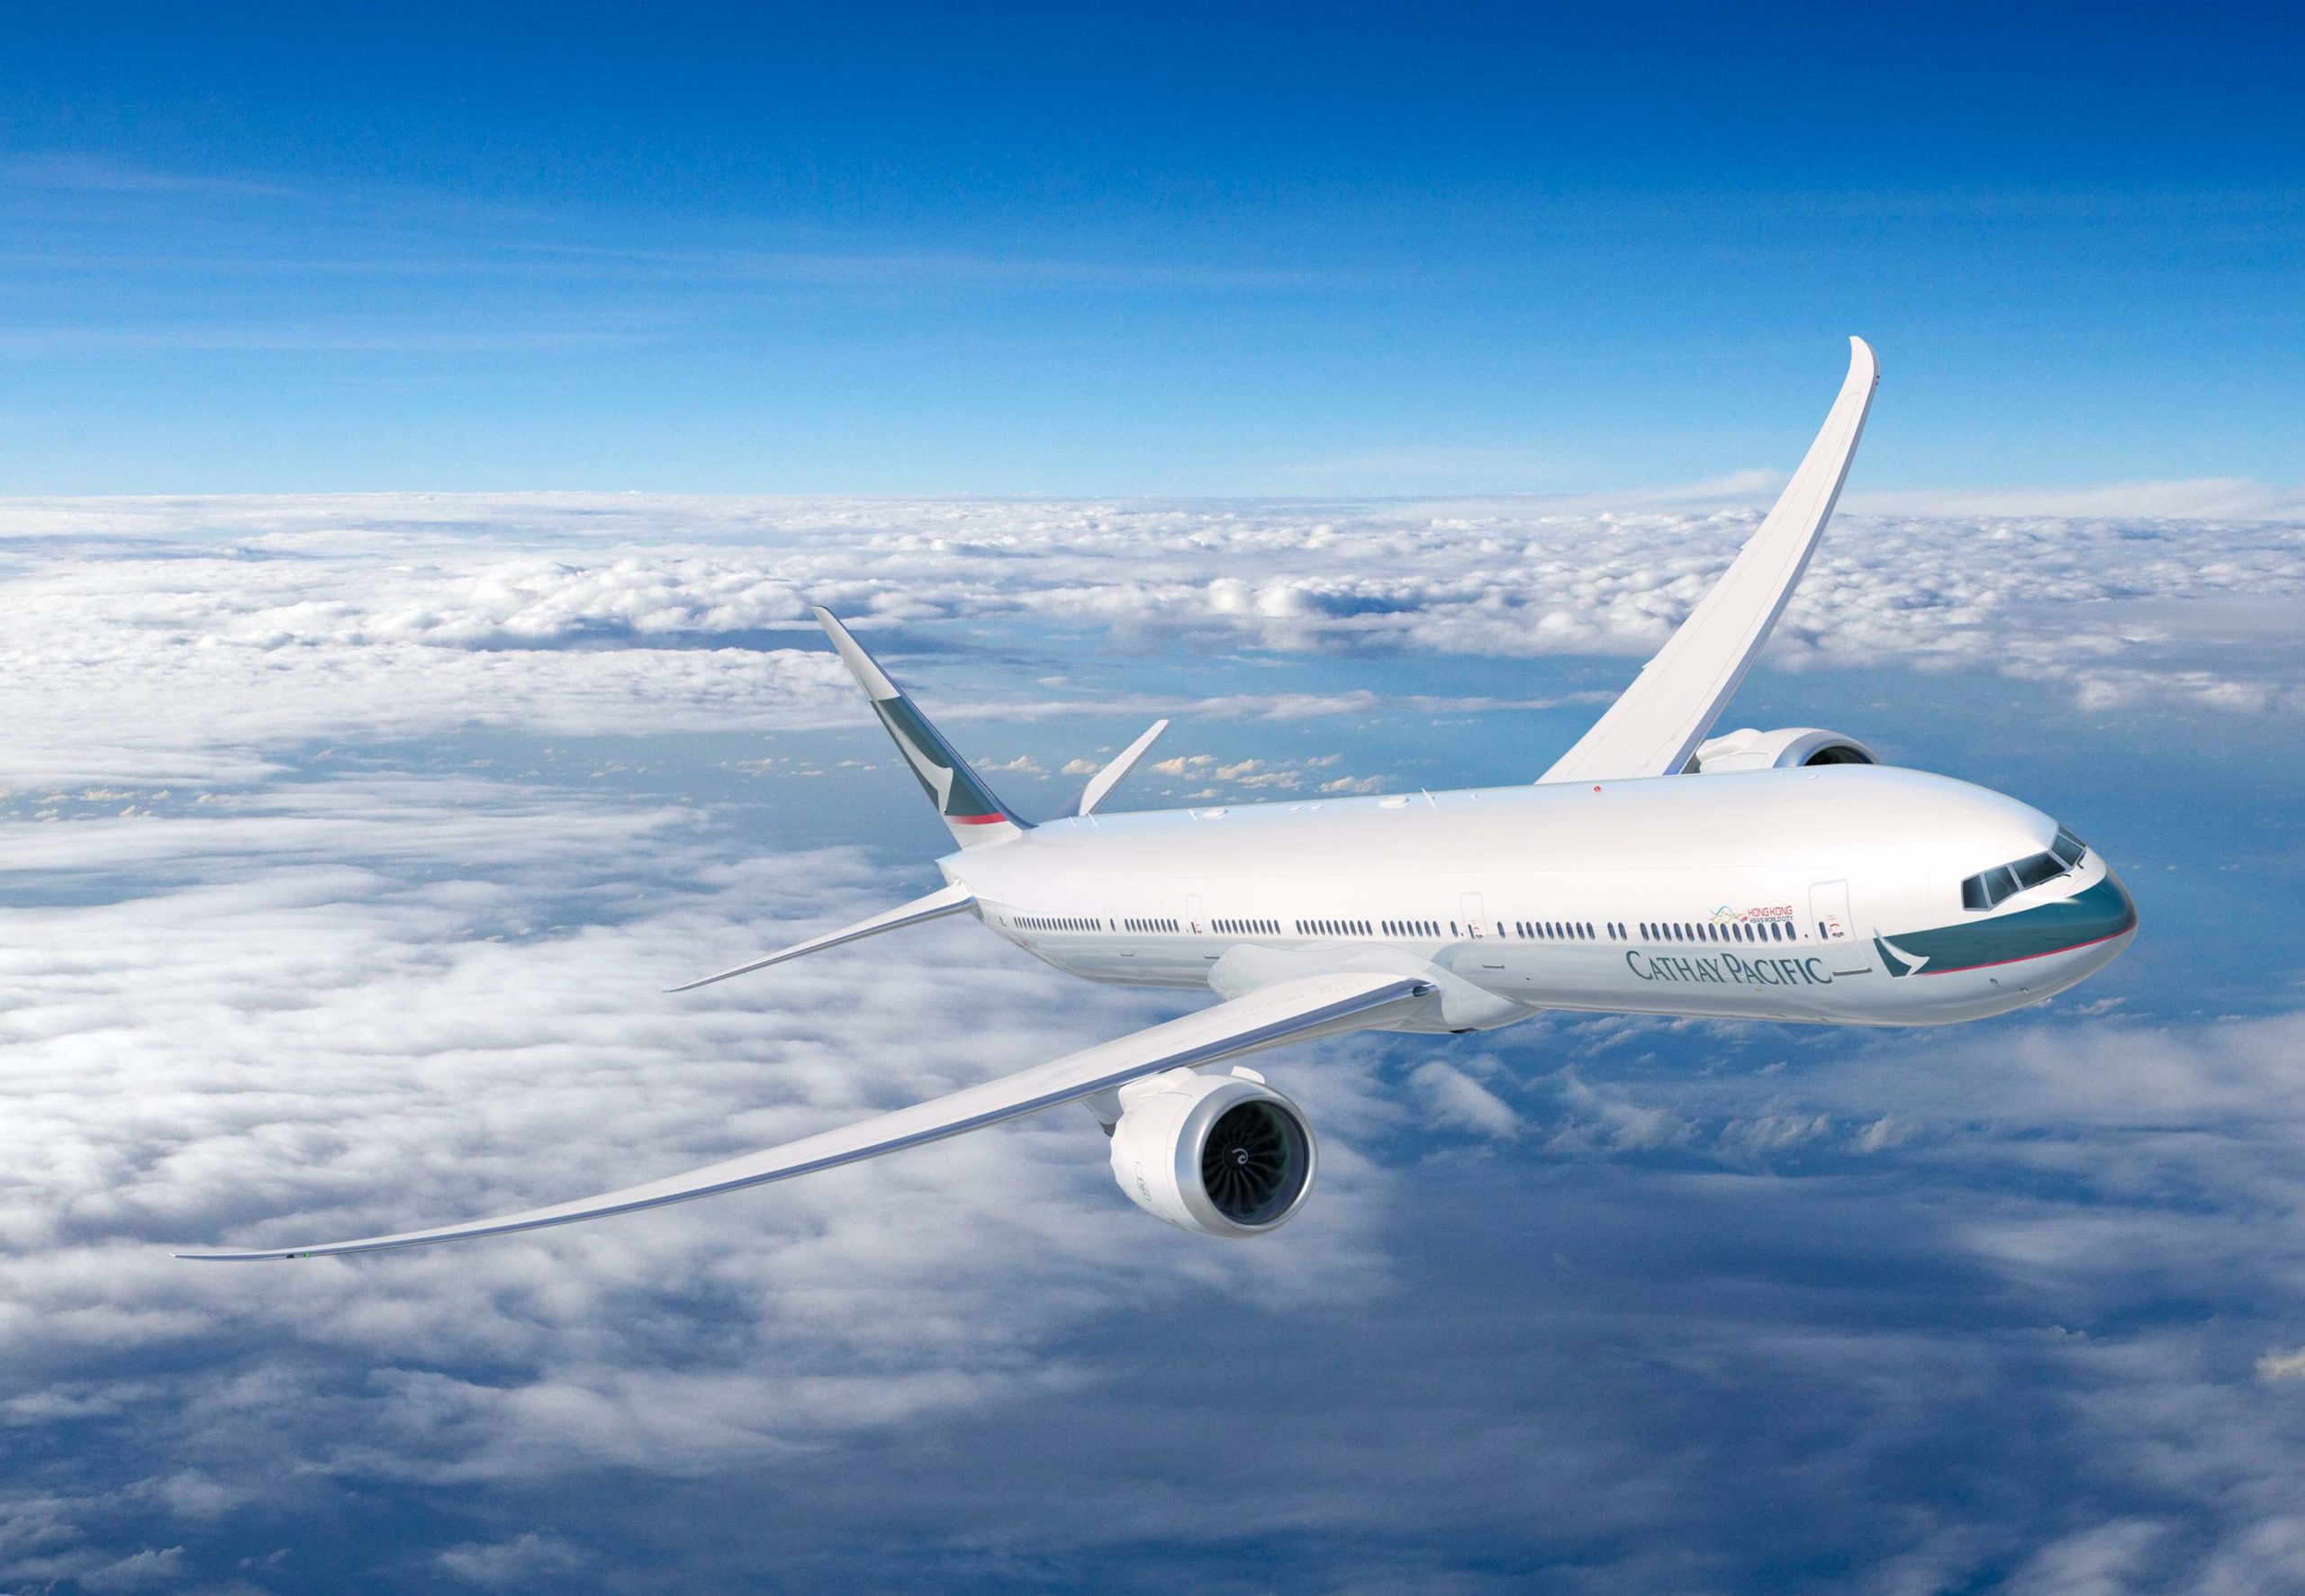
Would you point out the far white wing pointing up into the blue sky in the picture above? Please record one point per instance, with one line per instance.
(1672, 706)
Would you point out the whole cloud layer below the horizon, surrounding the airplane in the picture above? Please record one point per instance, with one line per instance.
(1990, 1305)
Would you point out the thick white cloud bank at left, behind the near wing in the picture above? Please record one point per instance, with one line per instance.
(354, 1010)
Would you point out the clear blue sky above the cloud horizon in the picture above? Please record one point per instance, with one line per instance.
(1101, 250)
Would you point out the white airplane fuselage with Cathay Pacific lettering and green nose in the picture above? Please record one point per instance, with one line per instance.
(1827, 895)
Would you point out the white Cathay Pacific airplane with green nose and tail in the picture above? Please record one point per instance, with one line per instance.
(1652, 869)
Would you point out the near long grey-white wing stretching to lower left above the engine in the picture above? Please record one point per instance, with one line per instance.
(1283, 1012)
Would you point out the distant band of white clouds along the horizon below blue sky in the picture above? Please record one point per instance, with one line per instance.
(174, 637)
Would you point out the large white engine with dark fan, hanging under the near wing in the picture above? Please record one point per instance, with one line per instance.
(1214, 1155)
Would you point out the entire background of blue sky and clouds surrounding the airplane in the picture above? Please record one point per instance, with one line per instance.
(1368, 393)
